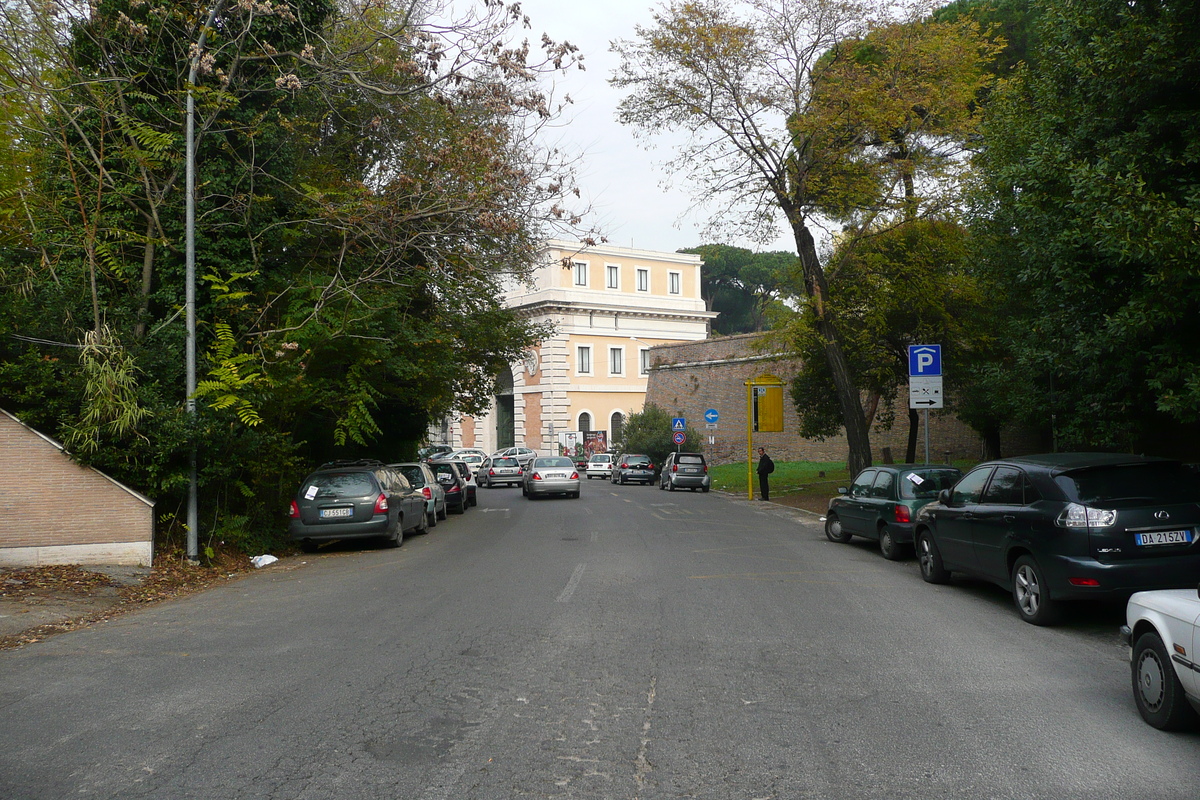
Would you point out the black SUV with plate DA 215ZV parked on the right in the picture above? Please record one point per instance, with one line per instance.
(1066, 527)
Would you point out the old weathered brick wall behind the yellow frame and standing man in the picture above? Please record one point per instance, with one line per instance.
(689, 378)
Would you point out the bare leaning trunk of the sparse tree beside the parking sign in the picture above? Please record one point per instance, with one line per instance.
(857, 431)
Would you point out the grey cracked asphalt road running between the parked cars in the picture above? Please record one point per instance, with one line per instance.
(634, 643)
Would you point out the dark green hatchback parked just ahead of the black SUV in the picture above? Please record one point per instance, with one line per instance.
(883, 504)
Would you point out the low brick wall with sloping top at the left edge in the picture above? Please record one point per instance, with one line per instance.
(55, 512)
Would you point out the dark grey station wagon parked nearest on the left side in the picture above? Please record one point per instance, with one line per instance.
(356, 500)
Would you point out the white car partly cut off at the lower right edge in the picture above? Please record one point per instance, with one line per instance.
(1162, 627)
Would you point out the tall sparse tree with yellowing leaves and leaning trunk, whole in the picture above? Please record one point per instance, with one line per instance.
(776, 128)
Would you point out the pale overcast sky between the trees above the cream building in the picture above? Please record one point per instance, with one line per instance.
(622, 181)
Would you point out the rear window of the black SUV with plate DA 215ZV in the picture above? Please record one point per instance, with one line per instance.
(1162, 483)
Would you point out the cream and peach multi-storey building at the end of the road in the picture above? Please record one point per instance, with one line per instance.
(609, 306)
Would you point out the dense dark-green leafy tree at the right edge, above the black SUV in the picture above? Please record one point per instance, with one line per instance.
(1090, 218)
